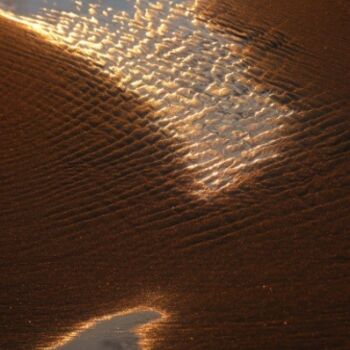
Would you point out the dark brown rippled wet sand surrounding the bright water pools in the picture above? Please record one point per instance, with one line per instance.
(98, 215)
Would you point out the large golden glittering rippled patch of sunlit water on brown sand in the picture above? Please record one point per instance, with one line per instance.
(191, 73)
